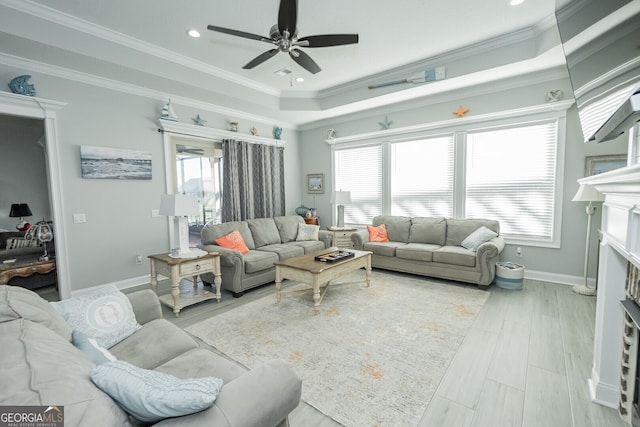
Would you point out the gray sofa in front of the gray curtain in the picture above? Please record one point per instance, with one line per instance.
(268, 239)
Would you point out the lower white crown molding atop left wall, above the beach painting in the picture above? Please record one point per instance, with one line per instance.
(90, 79)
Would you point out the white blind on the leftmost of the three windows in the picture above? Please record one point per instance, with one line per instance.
(359, 170)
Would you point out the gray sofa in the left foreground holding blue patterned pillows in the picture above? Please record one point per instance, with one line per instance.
(42, 367)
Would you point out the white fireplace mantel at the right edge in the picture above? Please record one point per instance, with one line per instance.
(619, 246)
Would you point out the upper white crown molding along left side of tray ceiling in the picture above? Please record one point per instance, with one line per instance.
(77, 24)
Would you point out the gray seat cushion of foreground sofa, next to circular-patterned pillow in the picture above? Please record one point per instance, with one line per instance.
(145, 350)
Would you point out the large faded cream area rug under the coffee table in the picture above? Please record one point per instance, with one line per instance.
(370, 356)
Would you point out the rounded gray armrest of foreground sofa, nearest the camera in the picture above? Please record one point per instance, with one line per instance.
(264, 396)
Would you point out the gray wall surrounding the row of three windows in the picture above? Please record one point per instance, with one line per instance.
(568, 260)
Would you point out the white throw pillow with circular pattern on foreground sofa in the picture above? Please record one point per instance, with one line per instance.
(104, 314)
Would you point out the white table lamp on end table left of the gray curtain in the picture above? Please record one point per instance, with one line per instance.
(180, 206)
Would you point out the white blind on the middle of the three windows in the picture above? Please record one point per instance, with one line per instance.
(422, 174)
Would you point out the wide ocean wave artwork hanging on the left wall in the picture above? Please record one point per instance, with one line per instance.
(114, 163)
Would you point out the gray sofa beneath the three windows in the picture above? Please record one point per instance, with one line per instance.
(432, 247)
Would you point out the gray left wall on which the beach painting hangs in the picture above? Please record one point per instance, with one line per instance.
(118, 212)
